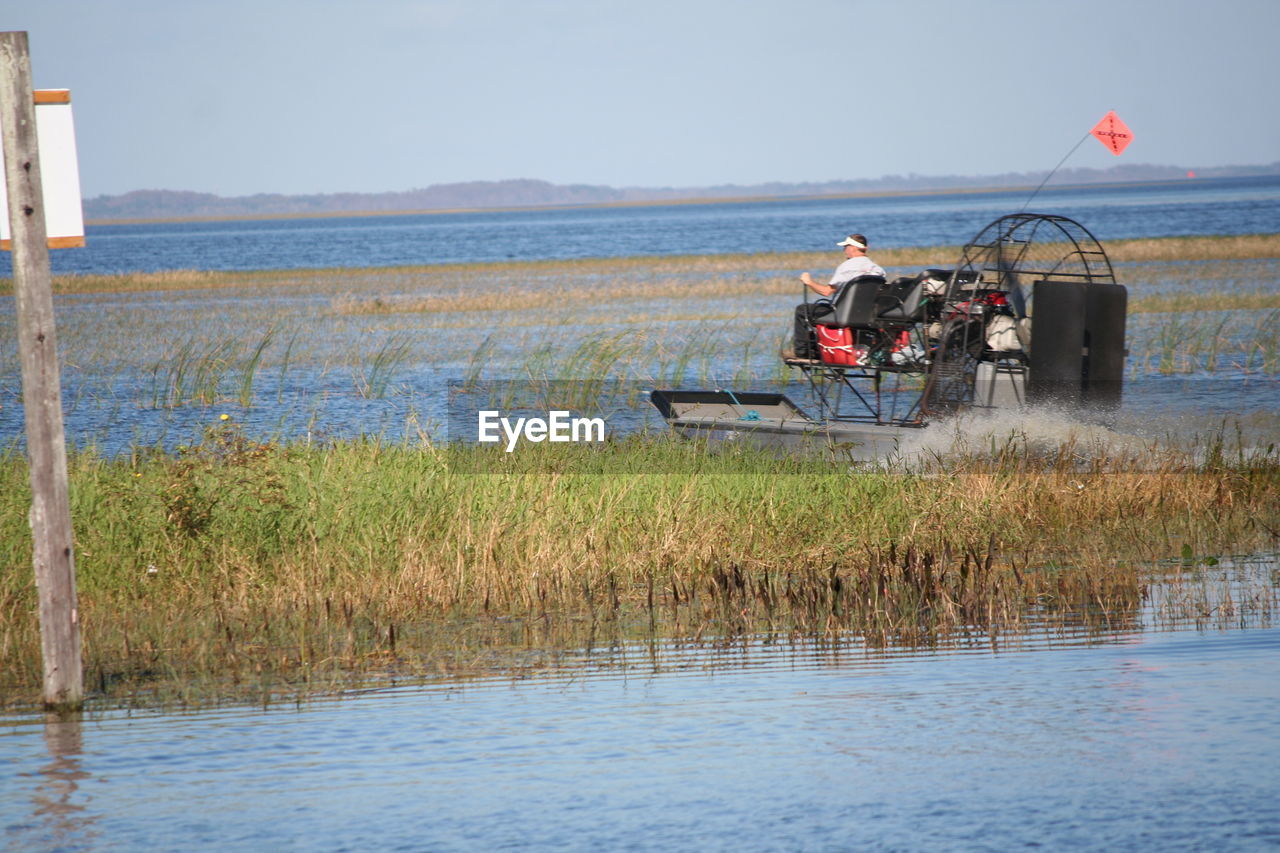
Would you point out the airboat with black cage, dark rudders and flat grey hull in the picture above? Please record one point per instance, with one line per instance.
(1031, 314)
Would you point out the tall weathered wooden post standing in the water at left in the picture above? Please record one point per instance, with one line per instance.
(42, 385)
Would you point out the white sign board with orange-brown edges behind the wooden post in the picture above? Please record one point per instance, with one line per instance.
(60, 172)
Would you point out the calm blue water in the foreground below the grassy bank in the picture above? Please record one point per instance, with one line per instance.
(1136, 738)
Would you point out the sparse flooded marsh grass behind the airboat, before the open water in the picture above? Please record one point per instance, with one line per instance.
(694, 318)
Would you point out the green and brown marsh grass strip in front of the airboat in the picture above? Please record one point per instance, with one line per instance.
(241, 569)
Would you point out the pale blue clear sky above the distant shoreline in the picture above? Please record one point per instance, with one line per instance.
(243, 97)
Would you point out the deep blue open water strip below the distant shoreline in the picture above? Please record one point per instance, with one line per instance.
(1209, 207)
